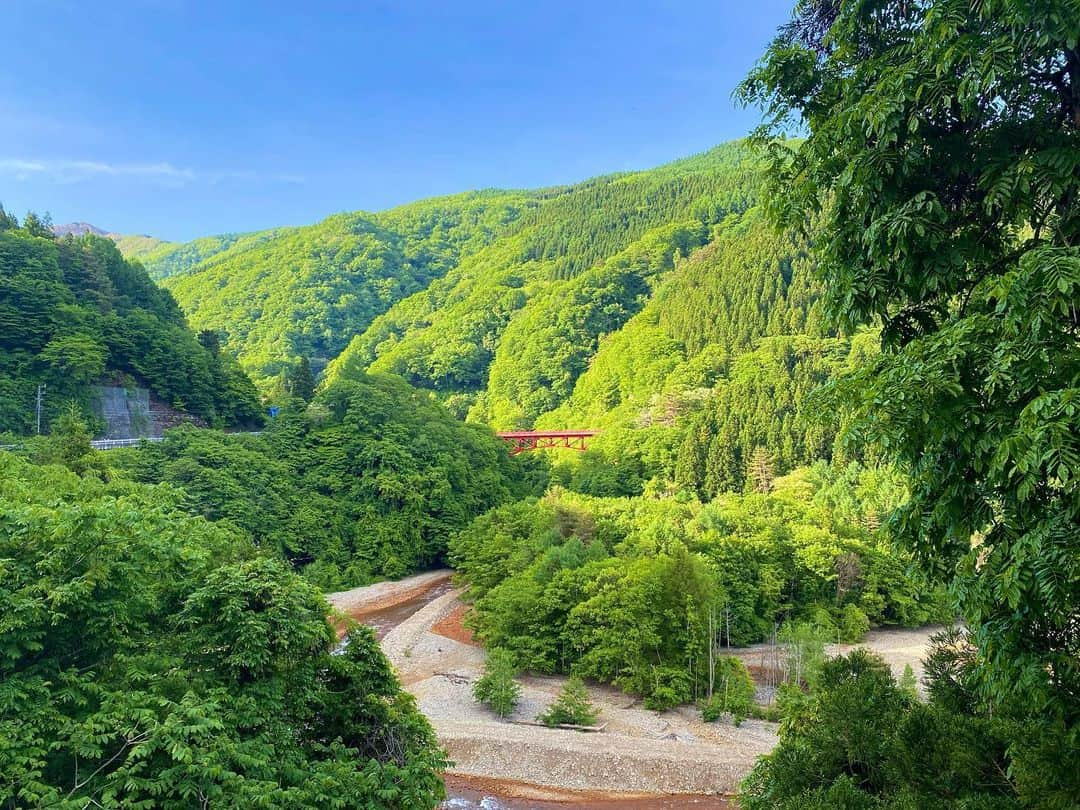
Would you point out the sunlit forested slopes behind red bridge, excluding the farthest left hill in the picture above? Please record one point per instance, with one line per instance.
(660, 307)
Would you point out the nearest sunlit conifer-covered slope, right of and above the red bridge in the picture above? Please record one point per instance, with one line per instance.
(720, 361)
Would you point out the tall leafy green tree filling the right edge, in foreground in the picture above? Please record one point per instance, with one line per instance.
(942, 169)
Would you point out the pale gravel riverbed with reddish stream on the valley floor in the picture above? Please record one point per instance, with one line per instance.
(643, 759)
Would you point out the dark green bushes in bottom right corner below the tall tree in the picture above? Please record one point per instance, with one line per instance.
(860, 740)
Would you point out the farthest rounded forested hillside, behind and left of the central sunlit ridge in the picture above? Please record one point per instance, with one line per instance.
(304, 292)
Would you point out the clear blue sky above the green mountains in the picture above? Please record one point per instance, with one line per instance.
(183, 119)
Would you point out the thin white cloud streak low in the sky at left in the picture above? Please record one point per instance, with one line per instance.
(165, 173)
